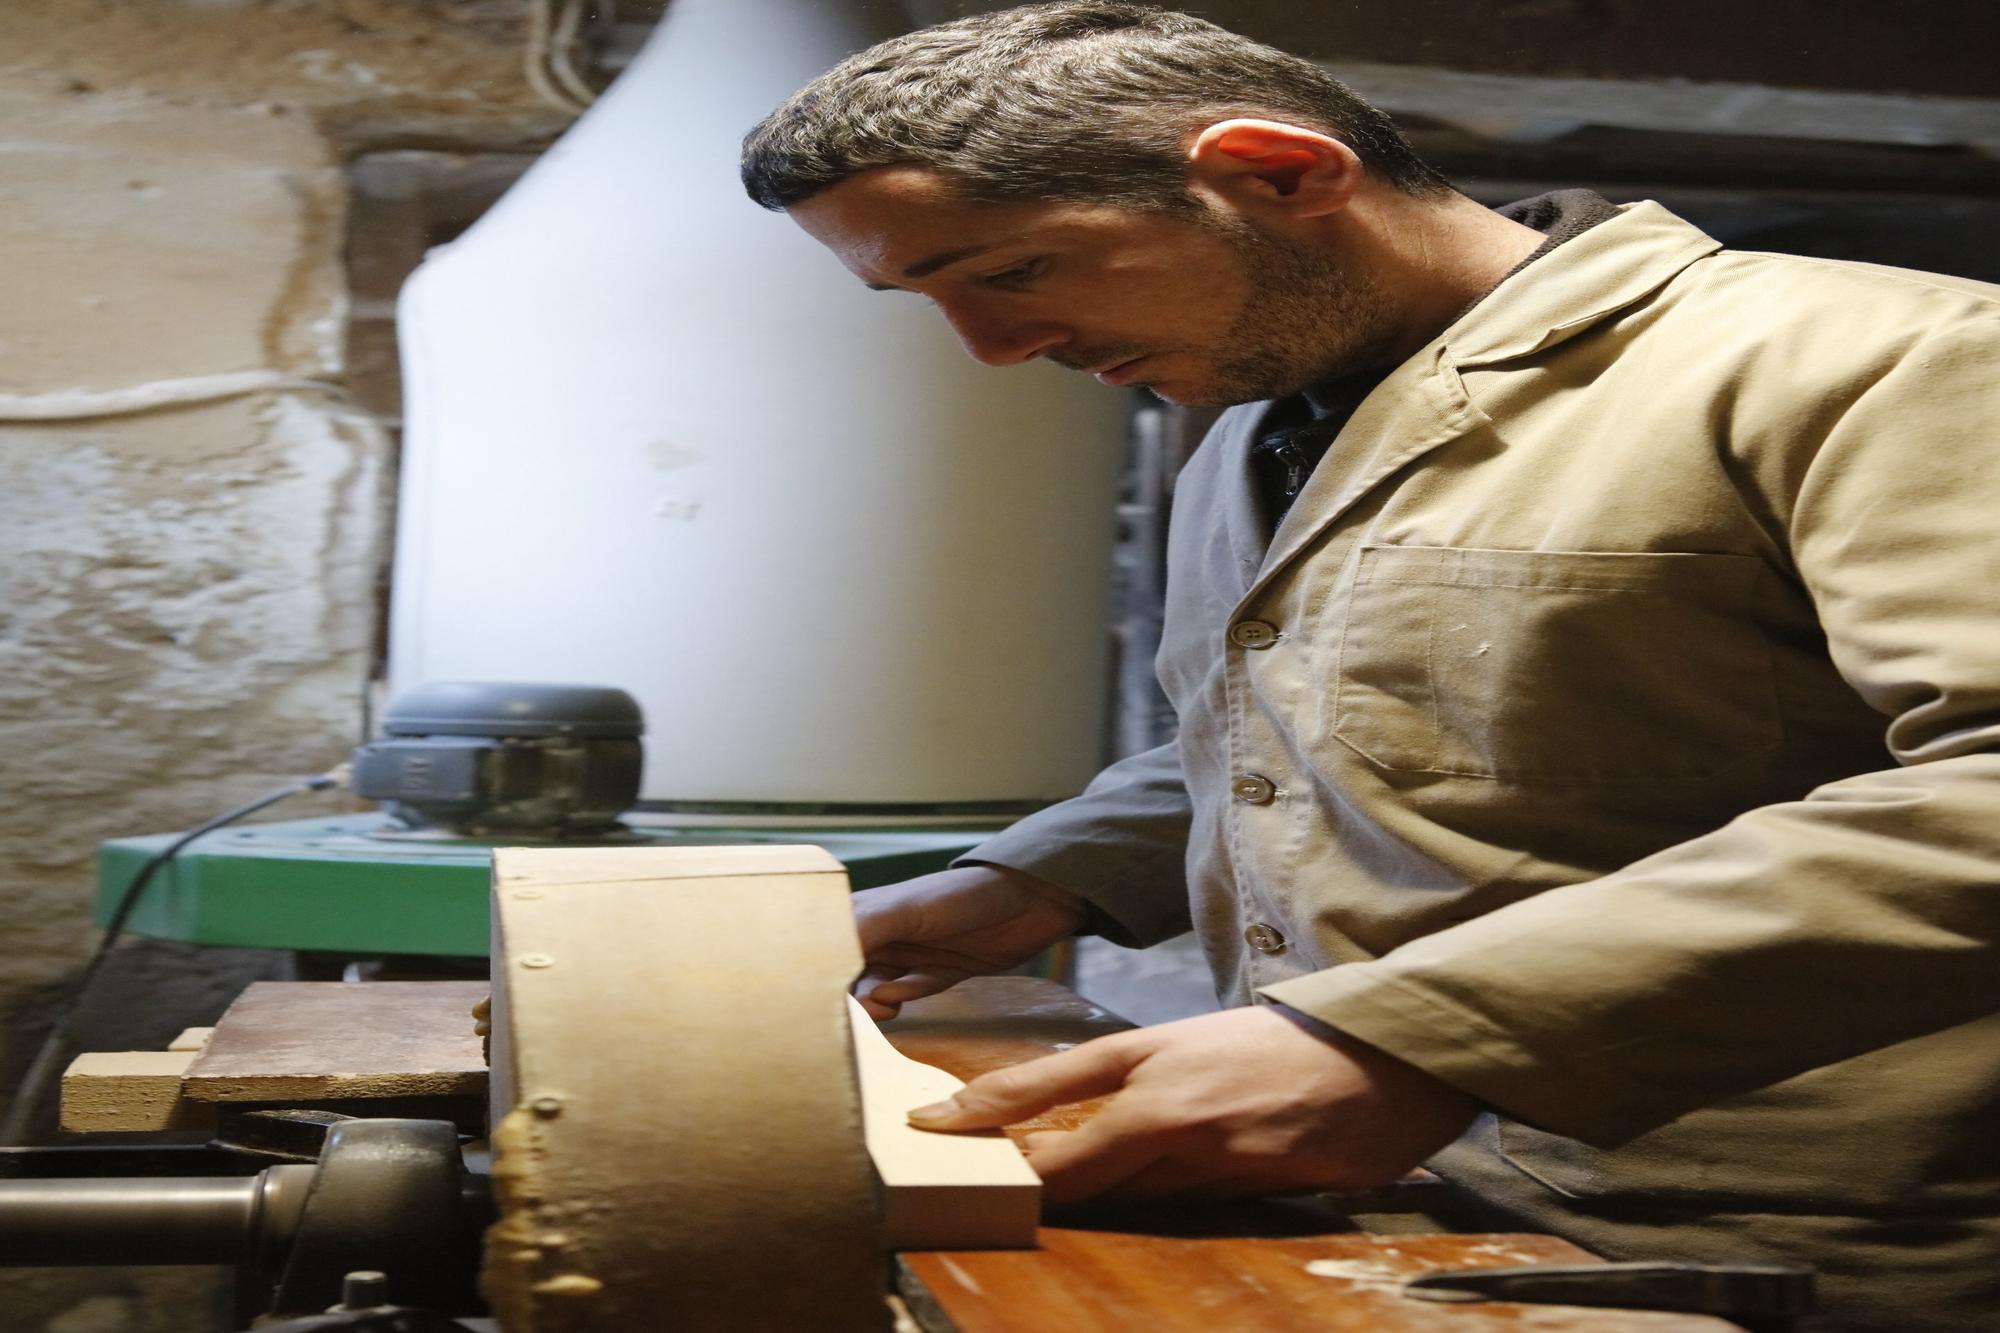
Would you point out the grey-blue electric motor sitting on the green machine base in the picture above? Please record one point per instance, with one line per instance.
(479, 760)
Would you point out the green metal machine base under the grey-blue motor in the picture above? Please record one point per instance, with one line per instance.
(333, 886)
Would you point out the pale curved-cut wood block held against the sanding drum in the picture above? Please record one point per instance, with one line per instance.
(939, 1192)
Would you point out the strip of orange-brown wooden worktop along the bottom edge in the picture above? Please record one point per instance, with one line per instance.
(1139, 1274)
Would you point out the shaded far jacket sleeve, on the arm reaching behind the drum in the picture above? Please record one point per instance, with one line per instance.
(1121, 846)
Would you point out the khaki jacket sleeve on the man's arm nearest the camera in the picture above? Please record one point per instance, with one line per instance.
(1799, 934)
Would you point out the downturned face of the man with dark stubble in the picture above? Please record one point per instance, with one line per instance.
(1209, 311)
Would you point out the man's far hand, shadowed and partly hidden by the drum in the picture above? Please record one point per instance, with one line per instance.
(929, 934)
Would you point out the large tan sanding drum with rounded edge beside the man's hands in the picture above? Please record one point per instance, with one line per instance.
(679, 1138)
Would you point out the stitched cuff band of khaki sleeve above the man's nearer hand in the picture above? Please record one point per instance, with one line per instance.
(1461, 1048)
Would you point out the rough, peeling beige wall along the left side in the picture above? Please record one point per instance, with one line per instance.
(189, 573)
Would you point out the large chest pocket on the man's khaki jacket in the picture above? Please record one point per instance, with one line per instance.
(1555, 665)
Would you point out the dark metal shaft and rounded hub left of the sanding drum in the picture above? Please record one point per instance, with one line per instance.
(385, 1196)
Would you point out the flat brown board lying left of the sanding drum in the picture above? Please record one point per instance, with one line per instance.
(333, 1042)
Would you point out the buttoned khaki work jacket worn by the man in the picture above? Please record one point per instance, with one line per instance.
(1613, 730)
